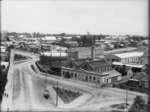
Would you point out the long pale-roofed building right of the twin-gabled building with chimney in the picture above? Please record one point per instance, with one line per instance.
(131, 60)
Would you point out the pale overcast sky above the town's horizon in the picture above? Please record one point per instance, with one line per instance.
(76, 16)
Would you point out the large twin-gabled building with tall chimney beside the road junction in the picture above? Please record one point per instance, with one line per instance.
(90, 70)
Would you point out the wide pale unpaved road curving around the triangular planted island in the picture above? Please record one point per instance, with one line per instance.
(25, 90)
